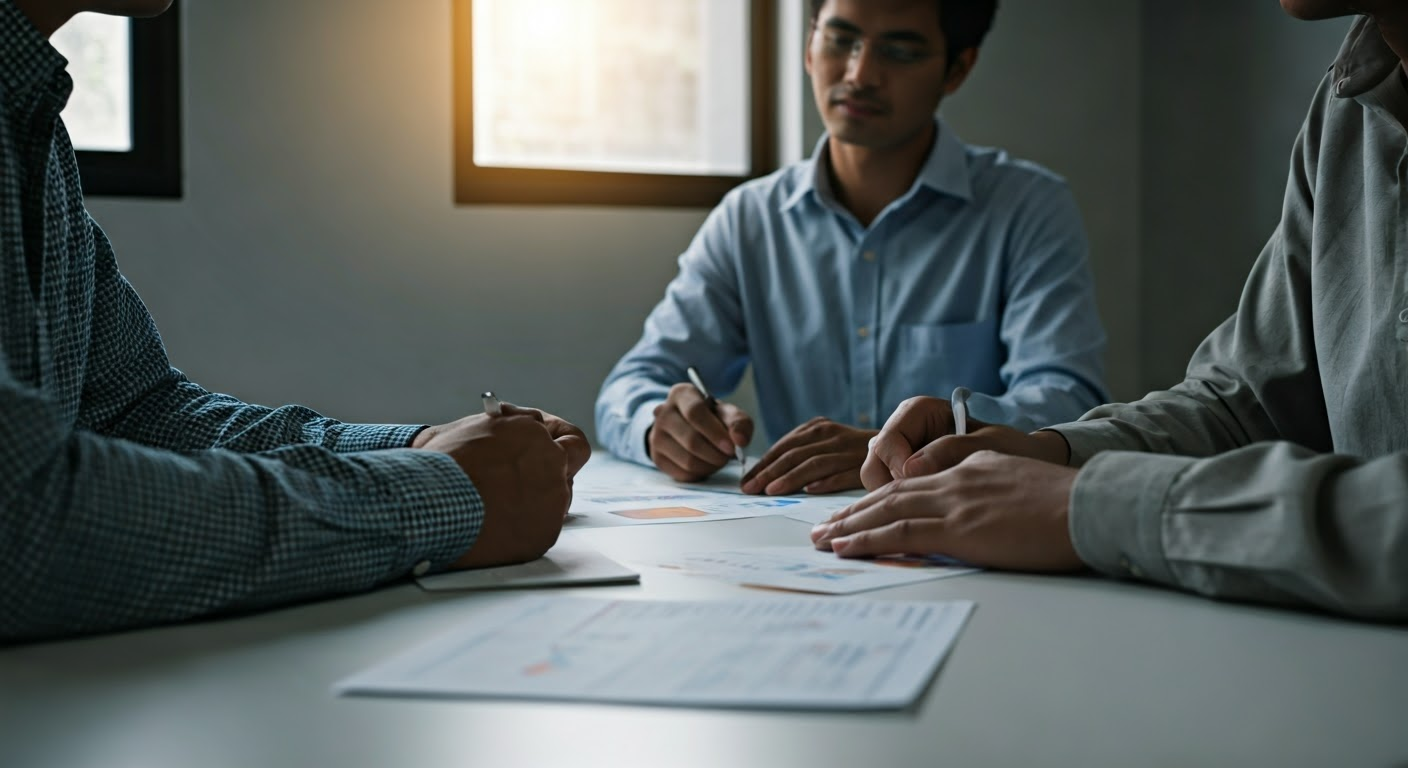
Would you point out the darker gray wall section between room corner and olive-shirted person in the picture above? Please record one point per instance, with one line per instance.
(1227, 85)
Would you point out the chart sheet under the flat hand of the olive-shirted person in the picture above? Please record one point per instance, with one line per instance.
(807, 570)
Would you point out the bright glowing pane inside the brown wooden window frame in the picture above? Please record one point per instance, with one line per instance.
(637, 87)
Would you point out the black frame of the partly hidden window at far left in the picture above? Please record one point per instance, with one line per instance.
(153, 167)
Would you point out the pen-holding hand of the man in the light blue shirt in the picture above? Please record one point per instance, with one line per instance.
(689, 442)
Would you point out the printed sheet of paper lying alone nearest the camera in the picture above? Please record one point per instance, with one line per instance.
(802, 653)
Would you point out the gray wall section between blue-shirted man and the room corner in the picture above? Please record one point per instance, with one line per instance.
(1071, 102)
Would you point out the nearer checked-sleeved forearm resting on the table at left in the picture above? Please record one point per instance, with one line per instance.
(103, 535)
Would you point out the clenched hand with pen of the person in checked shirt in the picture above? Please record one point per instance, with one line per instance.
(523, 464)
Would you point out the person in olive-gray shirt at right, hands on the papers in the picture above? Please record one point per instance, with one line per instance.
(1278, 471)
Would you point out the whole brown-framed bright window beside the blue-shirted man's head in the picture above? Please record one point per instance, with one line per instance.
(612, 102)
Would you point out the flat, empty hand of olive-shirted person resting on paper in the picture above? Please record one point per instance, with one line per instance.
(991, 511)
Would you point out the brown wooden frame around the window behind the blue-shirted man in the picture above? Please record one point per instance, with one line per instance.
(484, 185)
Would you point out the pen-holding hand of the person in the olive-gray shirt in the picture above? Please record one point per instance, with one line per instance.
(919, 440)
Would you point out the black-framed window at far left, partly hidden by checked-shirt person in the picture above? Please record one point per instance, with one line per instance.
(125, 115)
